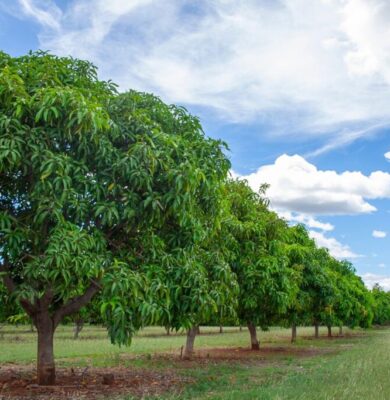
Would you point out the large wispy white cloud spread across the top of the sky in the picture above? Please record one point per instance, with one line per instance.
(324, 64)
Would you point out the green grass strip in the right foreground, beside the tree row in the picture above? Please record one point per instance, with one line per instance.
(357, 369)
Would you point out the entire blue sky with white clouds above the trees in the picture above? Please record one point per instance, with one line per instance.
(300, 91)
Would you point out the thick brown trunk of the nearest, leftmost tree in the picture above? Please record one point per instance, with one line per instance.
(46, 372)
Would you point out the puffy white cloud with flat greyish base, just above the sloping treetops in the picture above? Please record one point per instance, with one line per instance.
(298, 186)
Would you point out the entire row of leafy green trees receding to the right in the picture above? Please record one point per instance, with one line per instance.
(120, 201)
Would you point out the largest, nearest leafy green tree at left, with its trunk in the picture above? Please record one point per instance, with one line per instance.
(90, 178)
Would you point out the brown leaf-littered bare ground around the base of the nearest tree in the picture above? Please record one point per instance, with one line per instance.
(19, 382)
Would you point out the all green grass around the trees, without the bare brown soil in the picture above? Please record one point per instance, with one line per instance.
(356, 367)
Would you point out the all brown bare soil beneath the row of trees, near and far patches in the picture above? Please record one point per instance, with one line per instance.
(19, 382)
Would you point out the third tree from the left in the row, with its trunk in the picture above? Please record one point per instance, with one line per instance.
(266, 282)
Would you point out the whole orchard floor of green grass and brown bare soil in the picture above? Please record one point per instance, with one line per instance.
(355, 365)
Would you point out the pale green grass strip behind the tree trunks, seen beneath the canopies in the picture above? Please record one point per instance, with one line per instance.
(93, 342)
